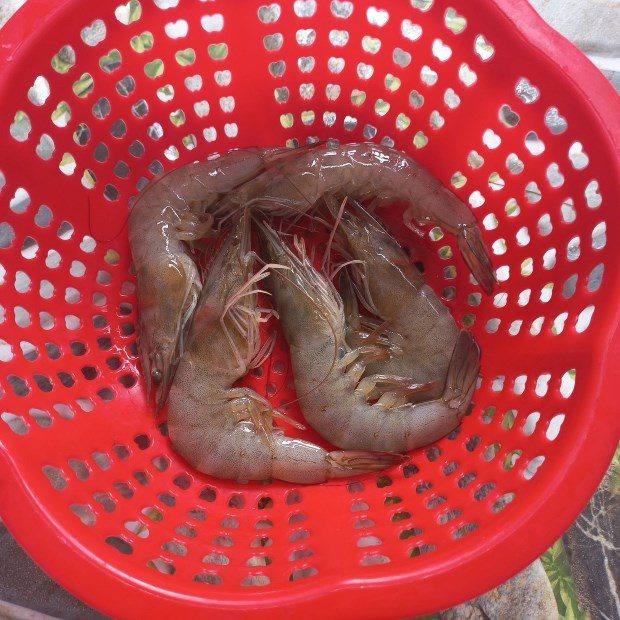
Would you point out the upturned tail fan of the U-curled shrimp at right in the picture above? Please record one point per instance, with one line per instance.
(462, 373)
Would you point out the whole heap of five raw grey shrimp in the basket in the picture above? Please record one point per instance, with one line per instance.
(379, 365)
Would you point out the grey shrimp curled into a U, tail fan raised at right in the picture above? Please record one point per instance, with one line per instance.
(350, 410)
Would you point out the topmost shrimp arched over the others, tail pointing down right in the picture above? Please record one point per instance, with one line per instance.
(367, 172)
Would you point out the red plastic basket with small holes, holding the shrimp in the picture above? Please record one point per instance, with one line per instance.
(473, 90)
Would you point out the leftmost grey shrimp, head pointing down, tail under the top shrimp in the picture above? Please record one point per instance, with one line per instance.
(171, 212)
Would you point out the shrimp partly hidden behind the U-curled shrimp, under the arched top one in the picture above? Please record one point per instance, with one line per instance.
(393, 290)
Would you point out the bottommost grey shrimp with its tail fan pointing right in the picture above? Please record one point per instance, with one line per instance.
(228, 431)
